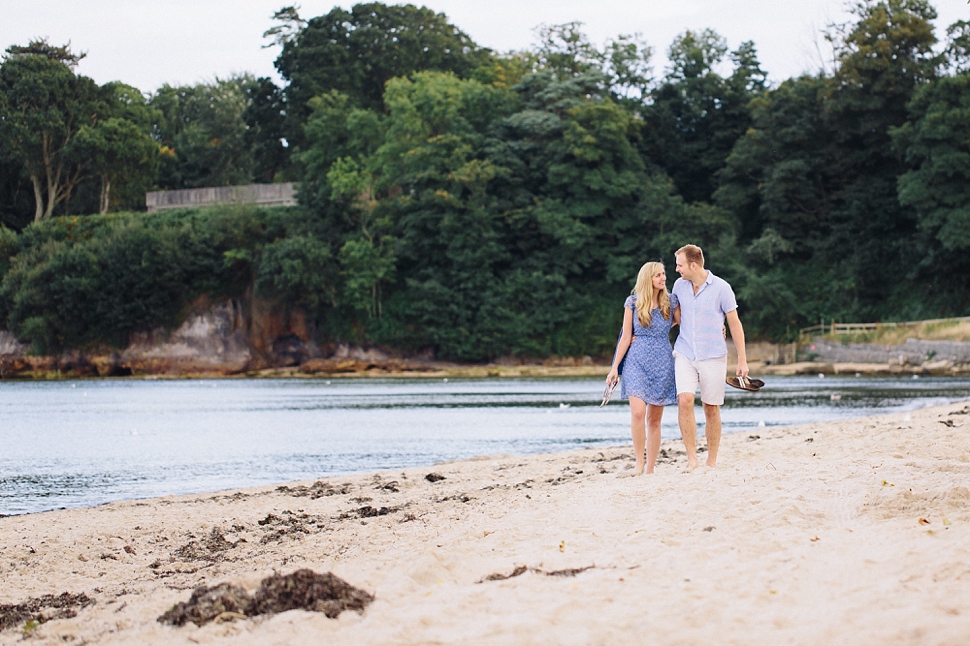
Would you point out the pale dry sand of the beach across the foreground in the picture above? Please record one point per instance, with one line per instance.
(854, 532)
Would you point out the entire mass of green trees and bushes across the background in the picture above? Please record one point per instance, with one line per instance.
(478, 205)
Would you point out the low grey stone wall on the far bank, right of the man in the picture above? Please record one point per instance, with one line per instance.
(914, 352)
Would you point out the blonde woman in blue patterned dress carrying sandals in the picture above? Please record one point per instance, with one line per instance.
(648, 373)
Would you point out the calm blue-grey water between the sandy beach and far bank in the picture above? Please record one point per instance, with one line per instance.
(65, 444)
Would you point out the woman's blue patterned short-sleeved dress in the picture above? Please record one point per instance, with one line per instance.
(648, 371)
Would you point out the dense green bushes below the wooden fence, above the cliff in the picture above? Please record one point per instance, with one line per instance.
(91, 281)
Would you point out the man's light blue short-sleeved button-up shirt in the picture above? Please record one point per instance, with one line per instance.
(702, 317)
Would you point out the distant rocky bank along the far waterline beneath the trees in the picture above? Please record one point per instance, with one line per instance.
(222, 340)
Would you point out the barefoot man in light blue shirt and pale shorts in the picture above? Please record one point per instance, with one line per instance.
(700, 354)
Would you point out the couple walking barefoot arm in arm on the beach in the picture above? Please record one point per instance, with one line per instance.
(654, 377)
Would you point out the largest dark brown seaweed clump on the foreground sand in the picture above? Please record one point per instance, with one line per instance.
(300, 590)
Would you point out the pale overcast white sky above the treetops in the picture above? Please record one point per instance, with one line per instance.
(146, 43)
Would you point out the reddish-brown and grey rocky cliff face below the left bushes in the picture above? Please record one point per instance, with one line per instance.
(221, 339)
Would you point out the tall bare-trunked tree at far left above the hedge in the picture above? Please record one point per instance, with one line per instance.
(44, 106)
